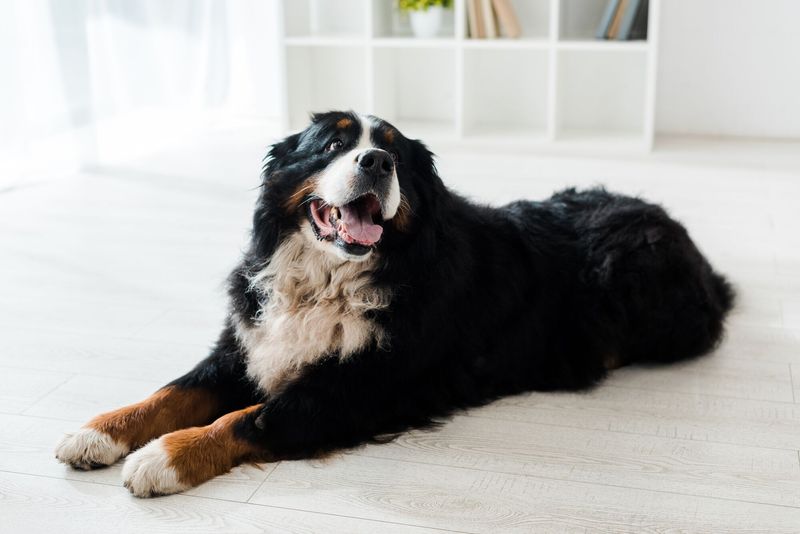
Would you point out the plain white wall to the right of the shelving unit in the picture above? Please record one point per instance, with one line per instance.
(729, 67)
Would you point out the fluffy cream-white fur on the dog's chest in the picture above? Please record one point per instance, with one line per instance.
(315, 306)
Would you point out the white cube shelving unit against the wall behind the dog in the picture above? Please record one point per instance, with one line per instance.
(556, 86)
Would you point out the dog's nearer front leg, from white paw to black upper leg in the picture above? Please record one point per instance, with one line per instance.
(327, 409)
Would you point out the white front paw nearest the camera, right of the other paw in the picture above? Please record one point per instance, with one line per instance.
(148, 473)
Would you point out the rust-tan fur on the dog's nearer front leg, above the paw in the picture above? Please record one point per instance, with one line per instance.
(199, 454)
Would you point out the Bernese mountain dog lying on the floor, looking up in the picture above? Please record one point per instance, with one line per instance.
(373, 300)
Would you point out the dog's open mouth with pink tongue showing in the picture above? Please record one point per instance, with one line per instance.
(355, 226)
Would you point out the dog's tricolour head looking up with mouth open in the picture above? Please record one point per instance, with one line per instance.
(347, 182)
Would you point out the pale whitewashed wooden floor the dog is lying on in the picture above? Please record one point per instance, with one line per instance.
(111, 285)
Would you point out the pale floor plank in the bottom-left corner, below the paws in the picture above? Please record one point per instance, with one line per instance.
(36, 505)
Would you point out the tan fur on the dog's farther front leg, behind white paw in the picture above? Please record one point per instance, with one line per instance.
(168, 409)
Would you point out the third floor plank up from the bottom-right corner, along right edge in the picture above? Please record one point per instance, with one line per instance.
(656, 413)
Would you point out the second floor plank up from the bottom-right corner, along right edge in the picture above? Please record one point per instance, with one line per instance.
(751, 474)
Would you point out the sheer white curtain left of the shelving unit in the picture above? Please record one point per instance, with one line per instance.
(89, 80)
